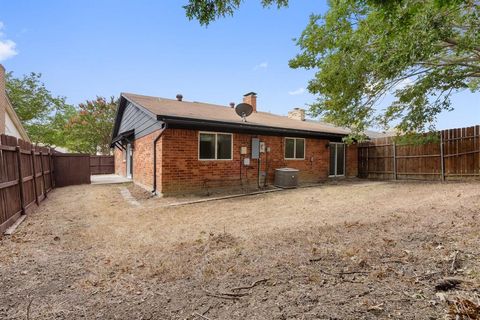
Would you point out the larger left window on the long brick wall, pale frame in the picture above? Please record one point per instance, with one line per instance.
(215, 146)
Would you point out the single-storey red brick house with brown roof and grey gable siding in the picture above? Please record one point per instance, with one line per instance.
(174, 146)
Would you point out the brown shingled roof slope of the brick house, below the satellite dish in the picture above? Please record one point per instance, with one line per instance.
(169, 109)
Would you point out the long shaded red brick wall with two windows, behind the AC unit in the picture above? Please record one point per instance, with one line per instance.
(182, 171)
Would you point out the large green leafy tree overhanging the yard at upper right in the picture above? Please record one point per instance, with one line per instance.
(421, 51)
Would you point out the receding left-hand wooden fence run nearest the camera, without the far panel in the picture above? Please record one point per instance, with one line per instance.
(26, 176)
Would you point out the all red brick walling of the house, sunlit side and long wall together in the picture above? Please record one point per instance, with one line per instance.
(179, 170)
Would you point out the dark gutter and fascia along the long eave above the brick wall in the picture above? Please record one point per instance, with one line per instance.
(199, 124)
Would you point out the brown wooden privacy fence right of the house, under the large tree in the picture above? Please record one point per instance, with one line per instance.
(456, 155)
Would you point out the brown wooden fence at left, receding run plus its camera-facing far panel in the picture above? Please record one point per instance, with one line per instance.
(28, 173)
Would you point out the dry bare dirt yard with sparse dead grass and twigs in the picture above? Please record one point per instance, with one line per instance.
(356, 250)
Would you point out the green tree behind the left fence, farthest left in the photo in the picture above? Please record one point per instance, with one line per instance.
(43, 115)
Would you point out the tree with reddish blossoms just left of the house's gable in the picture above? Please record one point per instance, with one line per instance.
(89, 131)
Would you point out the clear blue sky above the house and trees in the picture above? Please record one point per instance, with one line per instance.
(95, 48)
